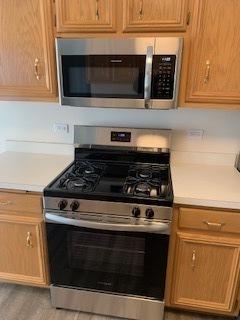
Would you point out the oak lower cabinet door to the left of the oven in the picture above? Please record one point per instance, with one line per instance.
(21, 253)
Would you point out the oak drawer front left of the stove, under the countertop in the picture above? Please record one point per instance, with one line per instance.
(24, 202)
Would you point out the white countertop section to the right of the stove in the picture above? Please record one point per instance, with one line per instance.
(206, 185)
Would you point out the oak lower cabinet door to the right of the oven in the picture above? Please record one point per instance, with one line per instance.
(206, 273)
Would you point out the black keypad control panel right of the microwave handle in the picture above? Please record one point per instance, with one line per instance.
(163, 76)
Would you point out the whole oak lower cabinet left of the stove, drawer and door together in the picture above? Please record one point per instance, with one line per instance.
(23, 256)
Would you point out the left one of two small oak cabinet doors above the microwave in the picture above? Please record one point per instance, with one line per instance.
(86, 15)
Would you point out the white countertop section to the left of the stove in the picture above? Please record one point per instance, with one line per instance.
(30, 171)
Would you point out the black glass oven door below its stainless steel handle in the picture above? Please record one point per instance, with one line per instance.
(120, 262)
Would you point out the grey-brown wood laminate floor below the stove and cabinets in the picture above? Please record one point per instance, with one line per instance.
(28, 303)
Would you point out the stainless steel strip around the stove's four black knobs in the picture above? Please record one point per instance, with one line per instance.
(107, 208)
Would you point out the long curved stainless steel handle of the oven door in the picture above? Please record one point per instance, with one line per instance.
(110, 223)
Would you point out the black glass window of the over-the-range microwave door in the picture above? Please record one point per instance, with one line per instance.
(104, 76)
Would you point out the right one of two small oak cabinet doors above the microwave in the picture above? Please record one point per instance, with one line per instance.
(155, 15)
